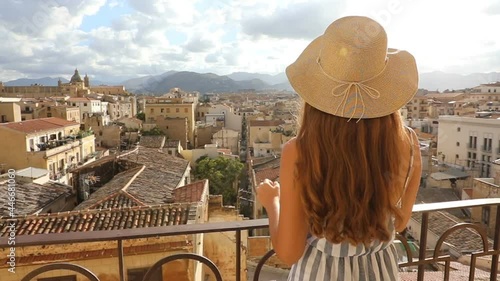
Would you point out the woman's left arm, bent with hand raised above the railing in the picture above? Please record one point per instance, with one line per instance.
(287, 220)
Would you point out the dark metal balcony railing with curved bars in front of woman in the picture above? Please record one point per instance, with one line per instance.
(238, 226)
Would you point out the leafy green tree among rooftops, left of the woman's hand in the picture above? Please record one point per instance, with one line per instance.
(222, 174)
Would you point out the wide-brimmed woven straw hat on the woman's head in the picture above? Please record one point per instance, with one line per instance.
(349, 72)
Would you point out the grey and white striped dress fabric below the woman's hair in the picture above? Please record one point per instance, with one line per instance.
(323, 261)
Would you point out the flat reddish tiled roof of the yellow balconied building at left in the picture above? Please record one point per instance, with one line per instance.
(39, 125)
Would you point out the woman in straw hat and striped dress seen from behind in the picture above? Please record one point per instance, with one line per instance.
(350, 178)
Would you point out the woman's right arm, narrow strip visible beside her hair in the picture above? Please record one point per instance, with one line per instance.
(409, 197)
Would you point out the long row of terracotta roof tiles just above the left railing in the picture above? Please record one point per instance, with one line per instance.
(99, 220)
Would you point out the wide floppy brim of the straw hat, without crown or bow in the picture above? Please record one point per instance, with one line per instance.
(397, 84)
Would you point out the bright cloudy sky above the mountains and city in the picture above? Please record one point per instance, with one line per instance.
(114, 40)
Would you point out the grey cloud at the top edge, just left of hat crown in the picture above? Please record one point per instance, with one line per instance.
(298, 21)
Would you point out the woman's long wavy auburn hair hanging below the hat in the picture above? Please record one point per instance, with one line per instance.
(348, 174)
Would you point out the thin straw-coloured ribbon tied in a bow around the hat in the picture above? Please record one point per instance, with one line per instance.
(359, 88)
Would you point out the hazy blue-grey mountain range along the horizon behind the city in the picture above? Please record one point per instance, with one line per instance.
(209, 82)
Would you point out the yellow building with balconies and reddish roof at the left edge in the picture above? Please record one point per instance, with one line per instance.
(49, 143)
